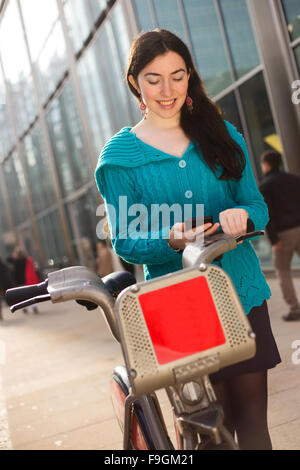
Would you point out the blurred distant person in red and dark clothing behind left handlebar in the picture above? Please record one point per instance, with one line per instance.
(24, 271)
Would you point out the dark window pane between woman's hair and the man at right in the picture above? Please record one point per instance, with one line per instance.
(258, 115)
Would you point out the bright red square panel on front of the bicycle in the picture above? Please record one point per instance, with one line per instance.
(182, 319)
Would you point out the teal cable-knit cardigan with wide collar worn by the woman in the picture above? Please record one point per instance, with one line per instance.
(129, 167)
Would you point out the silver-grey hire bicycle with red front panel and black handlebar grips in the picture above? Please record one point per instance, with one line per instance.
(163, 348)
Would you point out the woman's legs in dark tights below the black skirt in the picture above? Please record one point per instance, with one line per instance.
(245, 399)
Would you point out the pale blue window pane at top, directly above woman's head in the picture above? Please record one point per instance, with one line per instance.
(168, 17)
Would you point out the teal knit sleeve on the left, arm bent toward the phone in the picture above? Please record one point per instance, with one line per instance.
(135, 246)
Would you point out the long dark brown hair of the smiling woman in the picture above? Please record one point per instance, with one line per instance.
(205, 125)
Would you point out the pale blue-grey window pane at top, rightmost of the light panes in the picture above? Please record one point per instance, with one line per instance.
(240, 36)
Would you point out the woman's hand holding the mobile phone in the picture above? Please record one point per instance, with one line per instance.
(179, 236)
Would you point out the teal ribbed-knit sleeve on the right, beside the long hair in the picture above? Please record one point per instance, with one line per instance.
(245, 191)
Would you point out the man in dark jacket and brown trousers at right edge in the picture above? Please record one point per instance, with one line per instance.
(281, 192)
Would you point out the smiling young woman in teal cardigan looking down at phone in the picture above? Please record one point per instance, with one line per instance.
(183, 152)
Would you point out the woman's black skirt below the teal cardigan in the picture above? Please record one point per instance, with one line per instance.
(267, 355)
